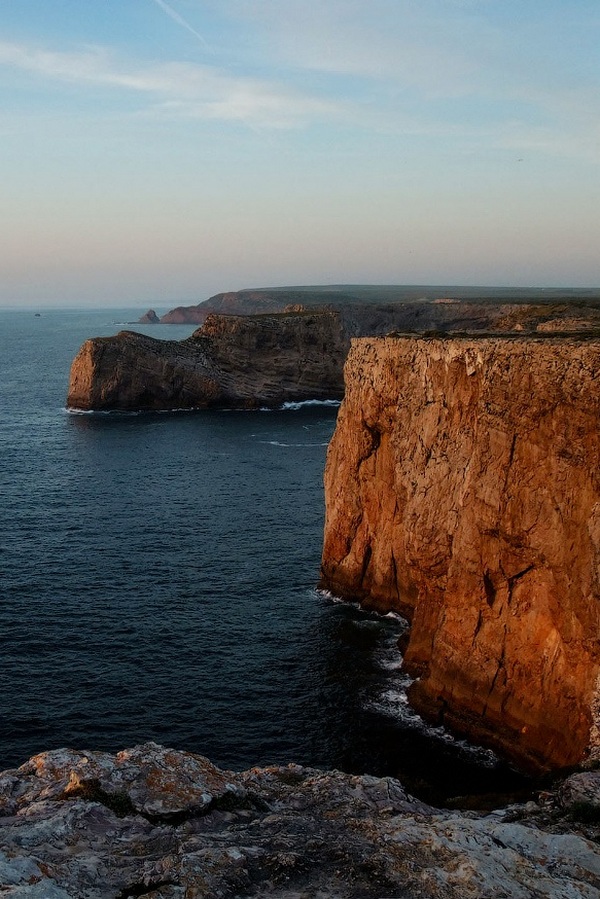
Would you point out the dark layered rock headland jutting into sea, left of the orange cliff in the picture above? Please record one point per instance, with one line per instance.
(233, 361)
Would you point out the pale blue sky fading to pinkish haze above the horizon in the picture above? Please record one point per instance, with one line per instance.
(156, 153)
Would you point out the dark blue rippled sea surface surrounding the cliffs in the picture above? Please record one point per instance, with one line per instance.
(158, 580)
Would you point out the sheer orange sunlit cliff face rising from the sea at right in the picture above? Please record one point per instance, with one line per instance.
(463, 489)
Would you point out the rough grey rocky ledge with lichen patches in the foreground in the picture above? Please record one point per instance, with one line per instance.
(164, 824)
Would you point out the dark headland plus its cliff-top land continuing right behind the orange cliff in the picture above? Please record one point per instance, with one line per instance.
(266, 359)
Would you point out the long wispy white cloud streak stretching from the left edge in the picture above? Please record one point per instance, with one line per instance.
(175, 88)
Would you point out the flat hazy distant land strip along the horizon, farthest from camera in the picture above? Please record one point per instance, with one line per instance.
(252, 301)
